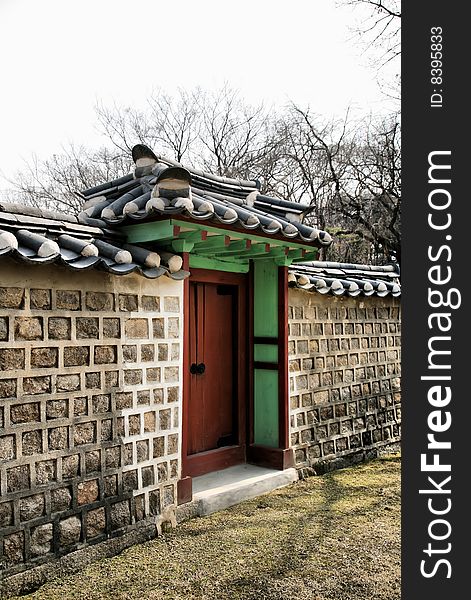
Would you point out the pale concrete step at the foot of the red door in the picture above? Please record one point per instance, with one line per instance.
(221, 489)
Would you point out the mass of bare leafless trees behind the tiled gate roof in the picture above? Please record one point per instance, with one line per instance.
(348, 173)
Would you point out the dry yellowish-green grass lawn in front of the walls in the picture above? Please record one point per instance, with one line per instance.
(333, 537)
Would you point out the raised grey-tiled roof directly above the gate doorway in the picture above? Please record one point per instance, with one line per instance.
(162, 187)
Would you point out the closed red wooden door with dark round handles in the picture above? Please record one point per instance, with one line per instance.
(216, 380)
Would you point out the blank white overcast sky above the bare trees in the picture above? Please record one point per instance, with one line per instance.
(59, 57)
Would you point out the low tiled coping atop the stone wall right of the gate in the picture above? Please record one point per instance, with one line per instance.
(346, 278)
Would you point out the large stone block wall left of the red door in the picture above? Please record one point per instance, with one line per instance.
(90, 394)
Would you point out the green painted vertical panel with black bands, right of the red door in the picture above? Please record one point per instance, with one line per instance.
(266, 427)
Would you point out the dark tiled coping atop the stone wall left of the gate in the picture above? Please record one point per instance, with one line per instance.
(37, 236)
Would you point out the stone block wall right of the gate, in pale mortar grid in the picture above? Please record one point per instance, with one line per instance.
(344, 362)
